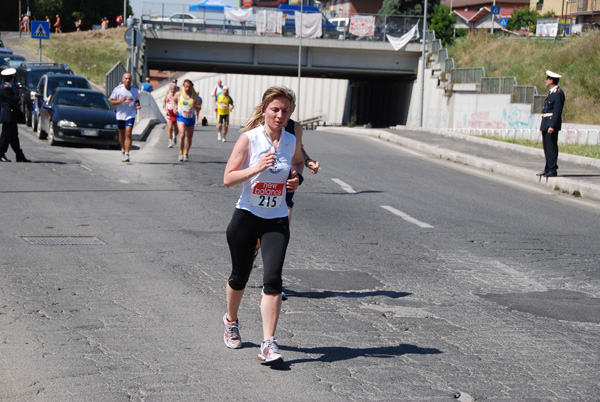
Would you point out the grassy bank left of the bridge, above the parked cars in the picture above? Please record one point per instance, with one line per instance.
(88, 53)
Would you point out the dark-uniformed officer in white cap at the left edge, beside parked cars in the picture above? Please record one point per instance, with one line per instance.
(9, 105)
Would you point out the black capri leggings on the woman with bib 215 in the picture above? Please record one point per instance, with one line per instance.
(243, 232)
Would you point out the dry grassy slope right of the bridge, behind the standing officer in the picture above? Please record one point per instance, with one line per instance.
(575, 59)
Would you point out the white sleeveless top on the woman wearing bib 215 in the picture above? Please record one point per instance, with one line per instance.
(264, 194)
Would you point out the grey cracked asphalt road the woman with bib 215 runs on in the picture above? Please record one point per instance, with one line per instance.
(409, 278)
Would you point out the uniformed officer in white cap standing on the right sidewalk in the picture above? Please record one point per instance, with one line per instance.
(551, 123)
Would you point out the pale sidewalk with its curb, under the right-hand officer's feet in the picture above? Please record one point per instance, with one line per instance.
(576, 174)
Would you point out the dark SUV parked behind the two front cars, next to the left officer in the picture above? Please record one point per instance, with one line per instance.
(28, 76)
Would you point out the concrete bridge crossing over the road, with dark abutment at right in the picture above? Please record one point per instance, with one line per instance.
(380, 79)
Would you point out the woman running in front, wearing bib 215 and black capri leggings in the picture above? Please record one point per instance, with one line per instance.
(261, 161)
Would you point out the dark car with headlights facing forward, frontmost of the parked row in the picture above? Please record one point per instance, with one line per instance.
(82, 116)
